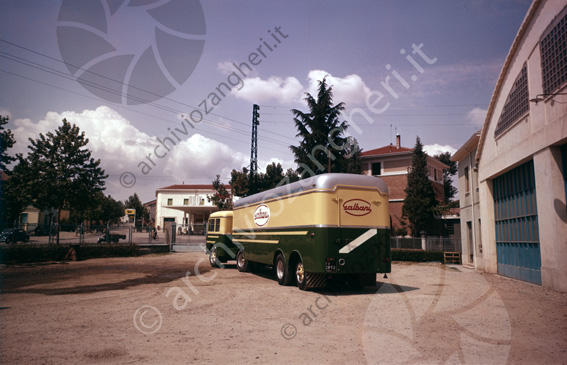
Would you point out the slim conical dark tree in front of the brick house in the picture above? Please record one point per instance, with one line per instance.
(420, 202)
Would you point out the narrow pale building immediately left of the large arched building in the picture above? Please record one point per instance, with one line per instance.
(469, 200)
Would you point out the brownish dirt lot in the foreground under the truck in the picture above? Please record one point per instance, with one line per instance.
(174, 309)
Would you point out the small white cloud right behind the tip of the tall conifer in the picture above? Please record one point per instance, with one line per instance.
(350, 89)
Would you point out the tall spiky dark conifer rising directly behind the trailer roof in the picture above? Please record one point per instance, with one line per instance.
(322, 134)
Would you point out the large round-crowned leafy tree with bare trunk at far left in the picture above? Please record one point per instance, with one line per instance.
(62, 174)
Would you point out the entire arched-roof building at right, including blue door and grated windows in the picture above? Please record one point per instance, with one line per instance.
(522, 154)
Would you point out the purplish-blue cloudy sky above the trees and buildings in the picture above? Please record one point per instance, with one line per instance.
(164, 89)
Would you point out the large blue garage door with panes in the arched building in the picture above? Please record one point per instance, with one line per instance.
(517, 234)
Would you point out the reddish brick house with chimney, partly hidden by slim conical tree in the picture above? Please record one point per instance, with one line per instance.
(391, 164)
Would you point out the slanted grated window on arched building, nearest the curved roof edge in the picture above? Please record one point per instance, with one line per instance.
(517, 103)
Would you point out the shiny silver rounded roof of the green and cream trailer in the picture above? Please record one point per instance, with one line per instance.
(318, 182)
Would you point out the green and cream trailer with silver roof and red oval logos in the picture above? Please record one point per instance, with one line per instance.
(326, 226)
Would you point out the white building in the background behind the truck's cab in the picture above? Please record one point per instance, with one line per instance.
(186, 205)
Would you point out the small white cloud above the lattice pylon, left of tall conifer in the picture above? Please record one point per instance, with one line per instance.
(288, 90)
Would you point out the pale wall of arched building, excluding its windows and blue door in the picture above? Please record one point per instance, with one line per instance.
(536, 136)
